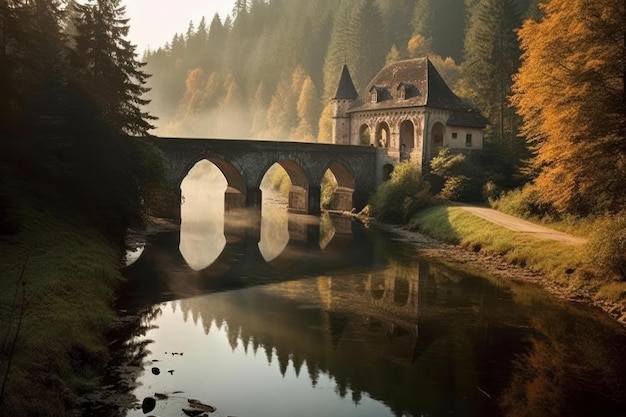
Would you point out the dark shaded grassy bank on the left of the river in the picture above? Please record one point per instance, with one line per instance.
(56, 288)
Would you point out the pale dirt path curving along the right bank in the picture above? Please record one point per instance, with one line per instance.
(521, 226)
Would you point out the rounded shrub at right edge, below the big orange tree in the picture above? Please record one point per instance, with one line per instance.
(606, 248)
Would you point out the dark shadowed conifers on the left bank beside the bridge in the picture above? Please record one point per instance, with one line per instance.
(72, 91)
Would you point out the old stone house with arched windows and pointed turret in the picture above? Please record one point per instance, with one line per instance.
(408, 109)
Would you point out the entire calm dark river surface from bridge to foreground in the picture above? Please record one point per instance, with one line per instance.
(300, 316)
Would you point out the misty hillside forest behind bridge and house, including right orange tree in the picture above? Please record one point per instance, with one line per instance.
(549, 75)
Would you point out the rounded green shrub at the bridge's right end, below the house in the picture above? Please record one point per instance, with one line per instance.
(402, 196)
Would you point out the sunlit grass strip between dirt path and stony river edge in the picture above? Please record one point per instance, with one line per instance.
(562, 264)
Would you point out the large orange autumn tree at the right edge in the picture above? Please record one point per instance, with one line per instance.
(570, 94)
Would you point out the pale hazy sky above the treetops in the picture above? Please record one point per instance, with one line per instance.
(154, 22)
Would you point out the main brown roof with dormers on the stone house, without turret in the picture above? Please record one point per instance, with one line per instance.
(427, 88)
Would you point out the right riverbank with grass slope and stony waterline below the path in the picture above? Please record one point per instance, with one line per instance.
(464, 239)
